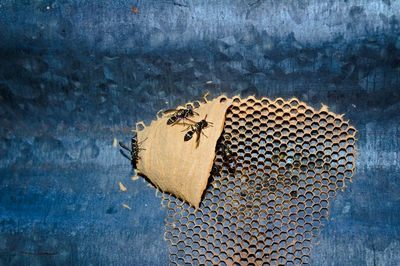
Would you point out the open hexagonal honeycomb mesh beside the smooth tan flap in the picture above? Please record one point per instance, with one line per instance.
(291, 160)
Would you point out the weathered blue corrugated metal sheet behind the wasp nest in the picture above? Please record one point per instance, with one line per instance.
(75, 74)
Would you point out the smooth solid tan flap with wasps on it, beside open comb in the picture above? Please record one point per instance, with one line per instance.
(177, 166)
